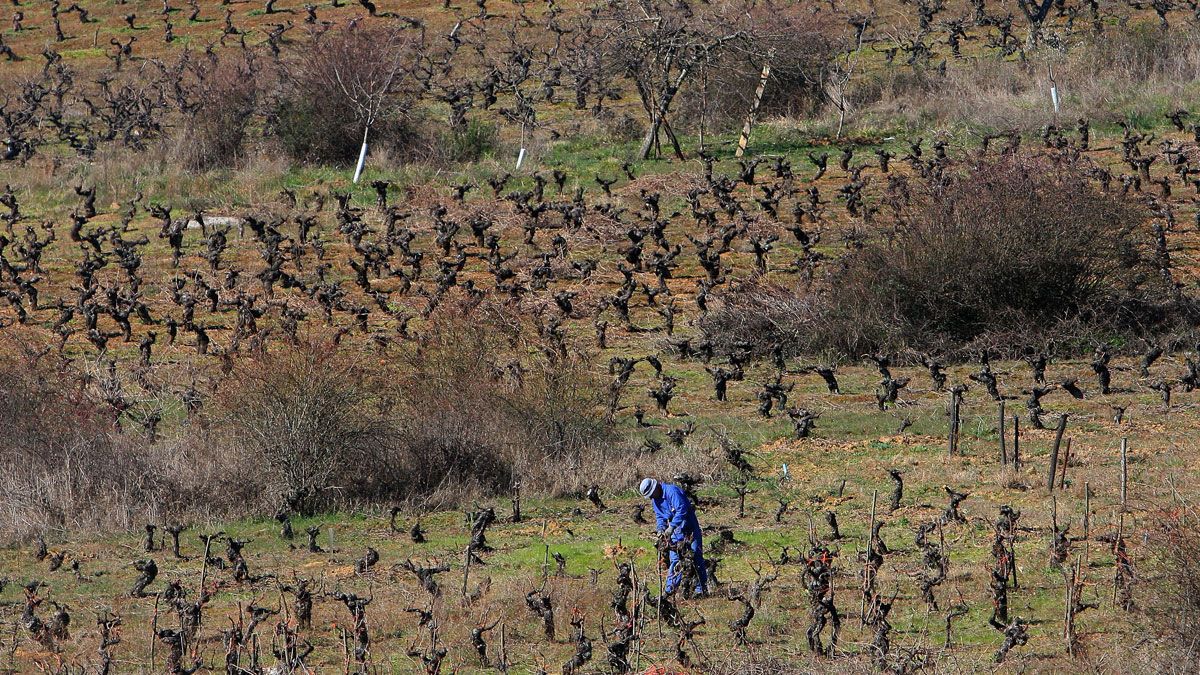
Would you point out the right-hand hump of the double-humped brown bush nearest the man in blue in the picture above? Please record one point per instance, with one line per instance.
(476, 419)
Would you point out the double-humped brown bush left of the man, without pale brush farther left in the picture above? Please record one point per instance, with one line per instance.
(457, 420)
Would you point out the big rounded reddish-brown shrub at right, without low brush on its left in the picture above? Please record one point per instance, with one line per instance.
(1003, 246)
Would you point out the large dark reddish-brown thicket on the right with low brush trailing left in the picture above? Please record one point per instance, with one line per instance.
(1005, 254)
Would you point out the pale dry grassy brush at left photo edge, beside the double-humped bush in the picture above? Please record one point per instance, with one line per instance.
(68, 465)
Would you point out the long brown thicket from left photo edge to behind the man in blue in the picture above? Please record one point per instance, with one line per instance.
(313, 429)
